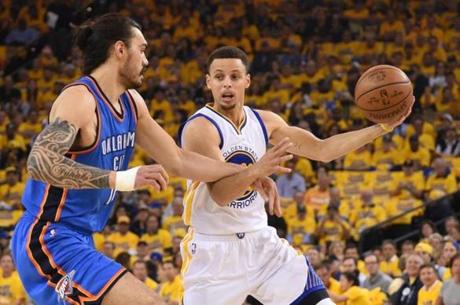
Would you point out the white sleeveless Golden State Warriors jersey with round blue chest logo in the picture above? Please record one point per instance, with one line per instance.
(244, 146)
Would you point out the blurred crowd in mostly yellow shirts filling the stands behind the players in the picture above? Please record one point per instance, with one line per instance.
(305, 59)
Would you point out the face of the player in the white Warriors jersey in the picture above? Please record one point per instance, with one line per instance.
(227, 79)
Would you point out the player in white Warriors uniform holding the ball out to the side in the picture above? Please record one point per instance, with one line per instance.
(230, 252)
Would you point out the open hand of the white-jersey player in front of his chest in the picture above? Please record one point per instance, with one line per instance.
(271, 162)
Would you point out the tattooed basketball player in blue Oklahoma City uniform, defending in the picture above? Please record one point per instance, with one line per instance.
(79, 162)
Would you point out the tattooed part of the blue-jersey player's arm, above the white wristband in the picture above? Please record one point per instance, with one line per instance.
(47, 163)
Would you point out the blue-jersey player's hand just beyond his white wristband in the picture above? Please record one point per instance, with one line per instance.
(152, 175)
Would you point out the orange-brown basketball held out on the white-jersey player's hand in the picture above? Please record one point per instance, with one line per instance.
(383, 93)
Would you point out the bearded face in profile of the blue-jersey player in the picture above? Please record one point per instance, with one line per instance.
(136, 61)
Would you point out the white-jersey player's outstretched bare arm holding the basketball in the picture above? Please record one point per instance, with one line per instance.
(308, 145)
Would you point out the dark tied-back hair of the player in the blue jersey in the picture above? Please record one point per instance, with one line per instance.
(96, 36)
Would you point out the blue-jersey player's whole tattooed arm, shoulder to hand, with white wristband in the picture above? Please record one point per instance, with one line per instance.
(72, 110)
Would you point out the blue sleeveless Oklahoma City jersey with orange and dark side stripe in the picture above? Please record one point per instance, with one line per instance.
(88, 210)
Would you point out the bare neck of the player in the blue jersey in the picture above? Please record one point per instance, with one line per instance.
(109, 82)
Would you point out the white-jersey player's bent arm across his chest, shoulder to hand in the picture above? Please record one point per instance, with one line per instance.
(201, 137)
